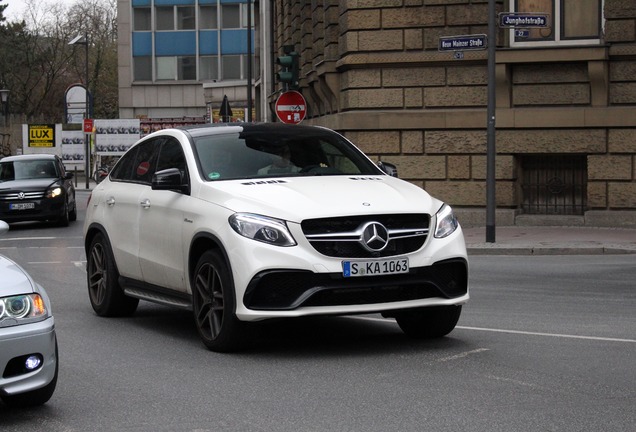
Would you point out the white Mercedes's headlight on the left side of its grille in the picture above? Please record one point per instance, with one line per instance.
(262, 228)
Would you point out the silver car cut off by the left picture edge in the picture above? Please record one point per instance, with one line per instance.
(28, 344)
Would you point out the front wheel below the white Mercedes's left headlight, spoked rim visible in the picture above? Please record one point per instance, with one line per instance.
(213, 301)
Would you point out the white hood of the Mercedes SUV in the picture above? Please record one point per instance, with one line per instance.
(298, 198)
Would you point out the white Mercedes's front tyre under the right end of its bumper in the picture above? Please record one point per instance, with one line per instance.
(428, 323)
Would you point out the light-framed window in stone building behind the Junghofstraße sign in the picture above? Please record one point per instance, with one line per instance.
(572, 22)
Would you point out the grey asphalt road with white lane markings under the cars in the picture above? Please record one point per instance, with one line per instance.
(546, 343)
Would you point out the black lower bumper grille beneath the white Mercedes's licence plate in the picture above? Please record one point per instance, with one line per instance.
(288, 290)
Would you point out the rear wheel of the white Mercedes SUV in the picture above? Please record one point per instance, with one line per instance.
(105, 293)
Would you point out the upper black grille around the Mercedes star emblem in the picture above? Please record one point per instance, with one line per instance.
(342, 237)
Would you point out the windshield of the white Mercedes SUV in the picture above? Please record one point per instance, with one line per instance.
(263, 154)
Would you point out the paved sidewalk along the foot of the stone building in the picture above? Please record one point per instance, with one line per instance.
(551, 240)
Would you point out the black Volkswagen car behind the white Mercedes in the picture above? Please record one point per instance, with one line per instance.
(36, 187)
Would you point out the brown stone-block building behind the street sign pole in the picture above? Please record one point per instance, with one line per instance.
(565, 99)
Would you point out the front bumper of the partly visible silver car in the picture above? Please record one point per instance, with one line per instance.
(22, 340)
